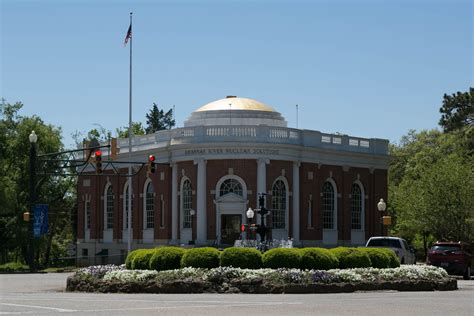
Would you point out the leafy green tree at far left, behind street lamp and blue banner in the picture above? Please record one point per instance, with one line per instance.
(14, 188)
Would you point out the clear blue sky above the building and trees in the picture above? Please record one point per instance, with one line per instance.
(365, 68)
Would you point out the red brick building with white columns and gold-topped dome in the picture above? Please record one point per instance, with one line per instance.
(322, 189)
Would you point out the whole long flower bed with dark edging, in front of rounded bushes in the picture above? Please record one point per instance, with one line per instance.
(112, 279)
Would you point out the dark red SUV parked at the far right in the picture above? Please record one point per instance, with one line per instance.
(455, 257)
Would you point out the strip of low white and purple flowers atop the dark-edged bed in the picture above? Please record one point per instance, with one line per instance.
(269, 276)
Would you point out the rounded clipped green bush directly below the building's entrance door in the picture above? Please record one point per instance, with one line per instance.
(245, 258)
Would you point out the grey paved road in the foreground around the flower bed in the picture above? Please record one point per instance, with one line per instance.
(43, 294)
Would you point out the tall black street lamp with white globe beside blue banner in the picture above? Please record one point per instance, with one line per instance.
(31, 254)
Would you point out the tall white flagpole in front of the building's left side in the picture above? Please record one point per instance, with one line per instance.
(130, 135)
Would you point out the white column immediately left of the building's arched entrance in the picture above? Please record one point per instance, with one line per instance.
(201, 233)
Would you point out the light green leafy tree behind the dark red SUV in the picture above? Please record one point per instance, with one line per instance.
(431, 177)
